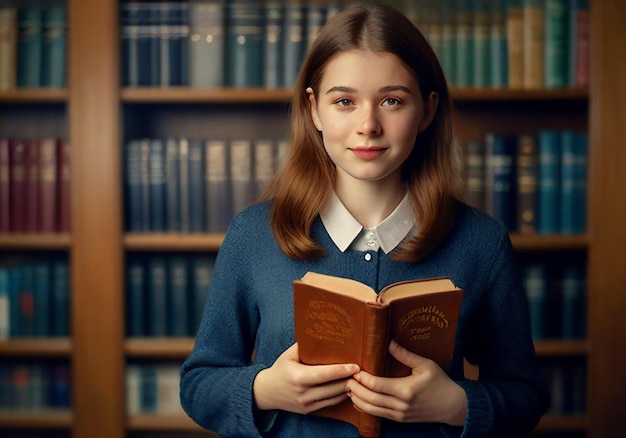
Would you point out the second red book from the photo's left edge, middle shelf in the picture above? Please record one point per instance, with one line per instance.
(17, 185)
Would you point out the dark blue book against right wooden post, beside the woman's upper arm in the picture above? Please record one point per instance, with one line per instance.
(573, 303)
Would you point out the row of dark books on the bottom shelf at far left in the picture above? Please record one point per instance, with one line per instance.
(27, 386)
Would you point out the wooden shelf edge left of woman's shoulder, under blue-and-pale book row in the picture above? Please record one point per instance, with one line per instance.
(173, 242)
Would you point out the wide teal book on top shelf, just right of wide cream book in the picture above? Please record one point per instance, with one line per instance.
(244, 44)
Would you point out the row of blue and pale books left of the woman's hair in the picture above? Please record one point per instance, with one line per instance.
(193, 185)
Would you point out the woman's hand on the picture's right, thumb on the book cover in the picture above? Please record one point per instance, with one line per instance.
(427, 395)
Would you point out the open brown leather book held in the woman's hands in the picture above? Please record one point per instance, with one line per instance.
(340, 320)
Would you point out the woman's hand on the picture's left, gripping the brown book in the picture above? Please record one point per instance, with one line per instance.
(292, 386)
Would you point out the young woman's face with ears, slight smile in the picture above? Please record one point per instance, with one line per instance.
(369, 110)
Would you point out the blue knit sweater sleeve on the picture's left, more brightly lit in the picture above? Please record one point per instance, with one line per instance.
(217, 378)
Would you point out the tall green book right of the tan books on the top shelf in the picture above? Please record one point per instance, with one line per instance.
(556, 53)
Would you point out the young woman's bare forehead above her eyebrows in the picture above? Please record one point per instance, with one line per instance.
(354, 67)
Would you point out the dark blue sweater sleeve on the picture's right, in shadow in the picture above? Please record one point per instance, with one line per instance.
(510, 396)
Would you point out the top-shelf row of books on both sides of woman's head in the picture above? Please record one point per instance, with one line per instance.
(480, 43)
